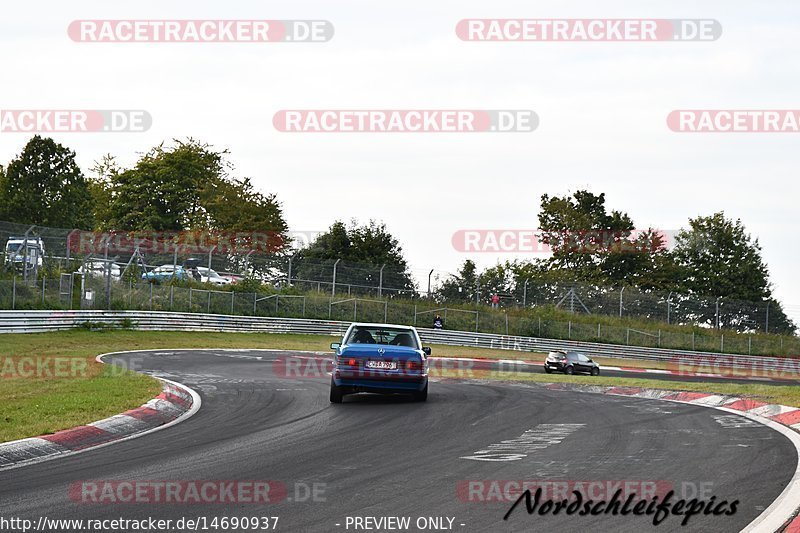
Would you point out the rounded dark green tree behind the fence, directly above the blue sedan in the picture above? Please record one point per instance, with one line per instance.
(362, 249)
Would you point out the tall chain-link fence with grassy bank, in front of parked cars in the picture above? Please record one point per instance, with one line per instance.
(48, 268)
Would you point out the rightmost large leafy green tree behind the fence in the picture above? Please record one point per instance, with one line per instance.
(721, 260)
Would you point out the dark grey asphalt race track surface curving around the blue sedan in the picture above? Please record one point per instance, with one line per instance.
(376, 456)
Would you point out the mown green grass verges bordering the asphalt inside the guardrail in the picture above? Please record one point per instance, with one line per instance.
(31, 407)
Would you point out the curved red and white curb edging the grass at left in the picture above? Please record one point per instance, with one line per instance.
(175, 404)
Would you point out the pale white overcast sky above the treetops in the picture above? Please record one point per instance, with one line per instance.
(602, 110)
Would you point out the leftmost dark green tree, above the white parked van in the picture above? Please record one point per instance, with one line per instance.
(45, 186)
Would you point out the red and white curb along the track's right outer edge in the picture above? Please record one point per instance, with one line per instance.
(780, 515)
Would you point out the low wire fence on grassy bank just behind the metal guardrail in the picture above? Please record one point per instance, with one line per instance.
(86, 292)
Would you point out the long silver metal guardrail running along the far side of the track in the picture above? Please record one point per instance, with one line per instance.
(40, 321)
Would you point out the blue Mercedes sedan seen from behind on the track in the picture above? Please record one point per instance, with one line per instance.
(380, 358)
